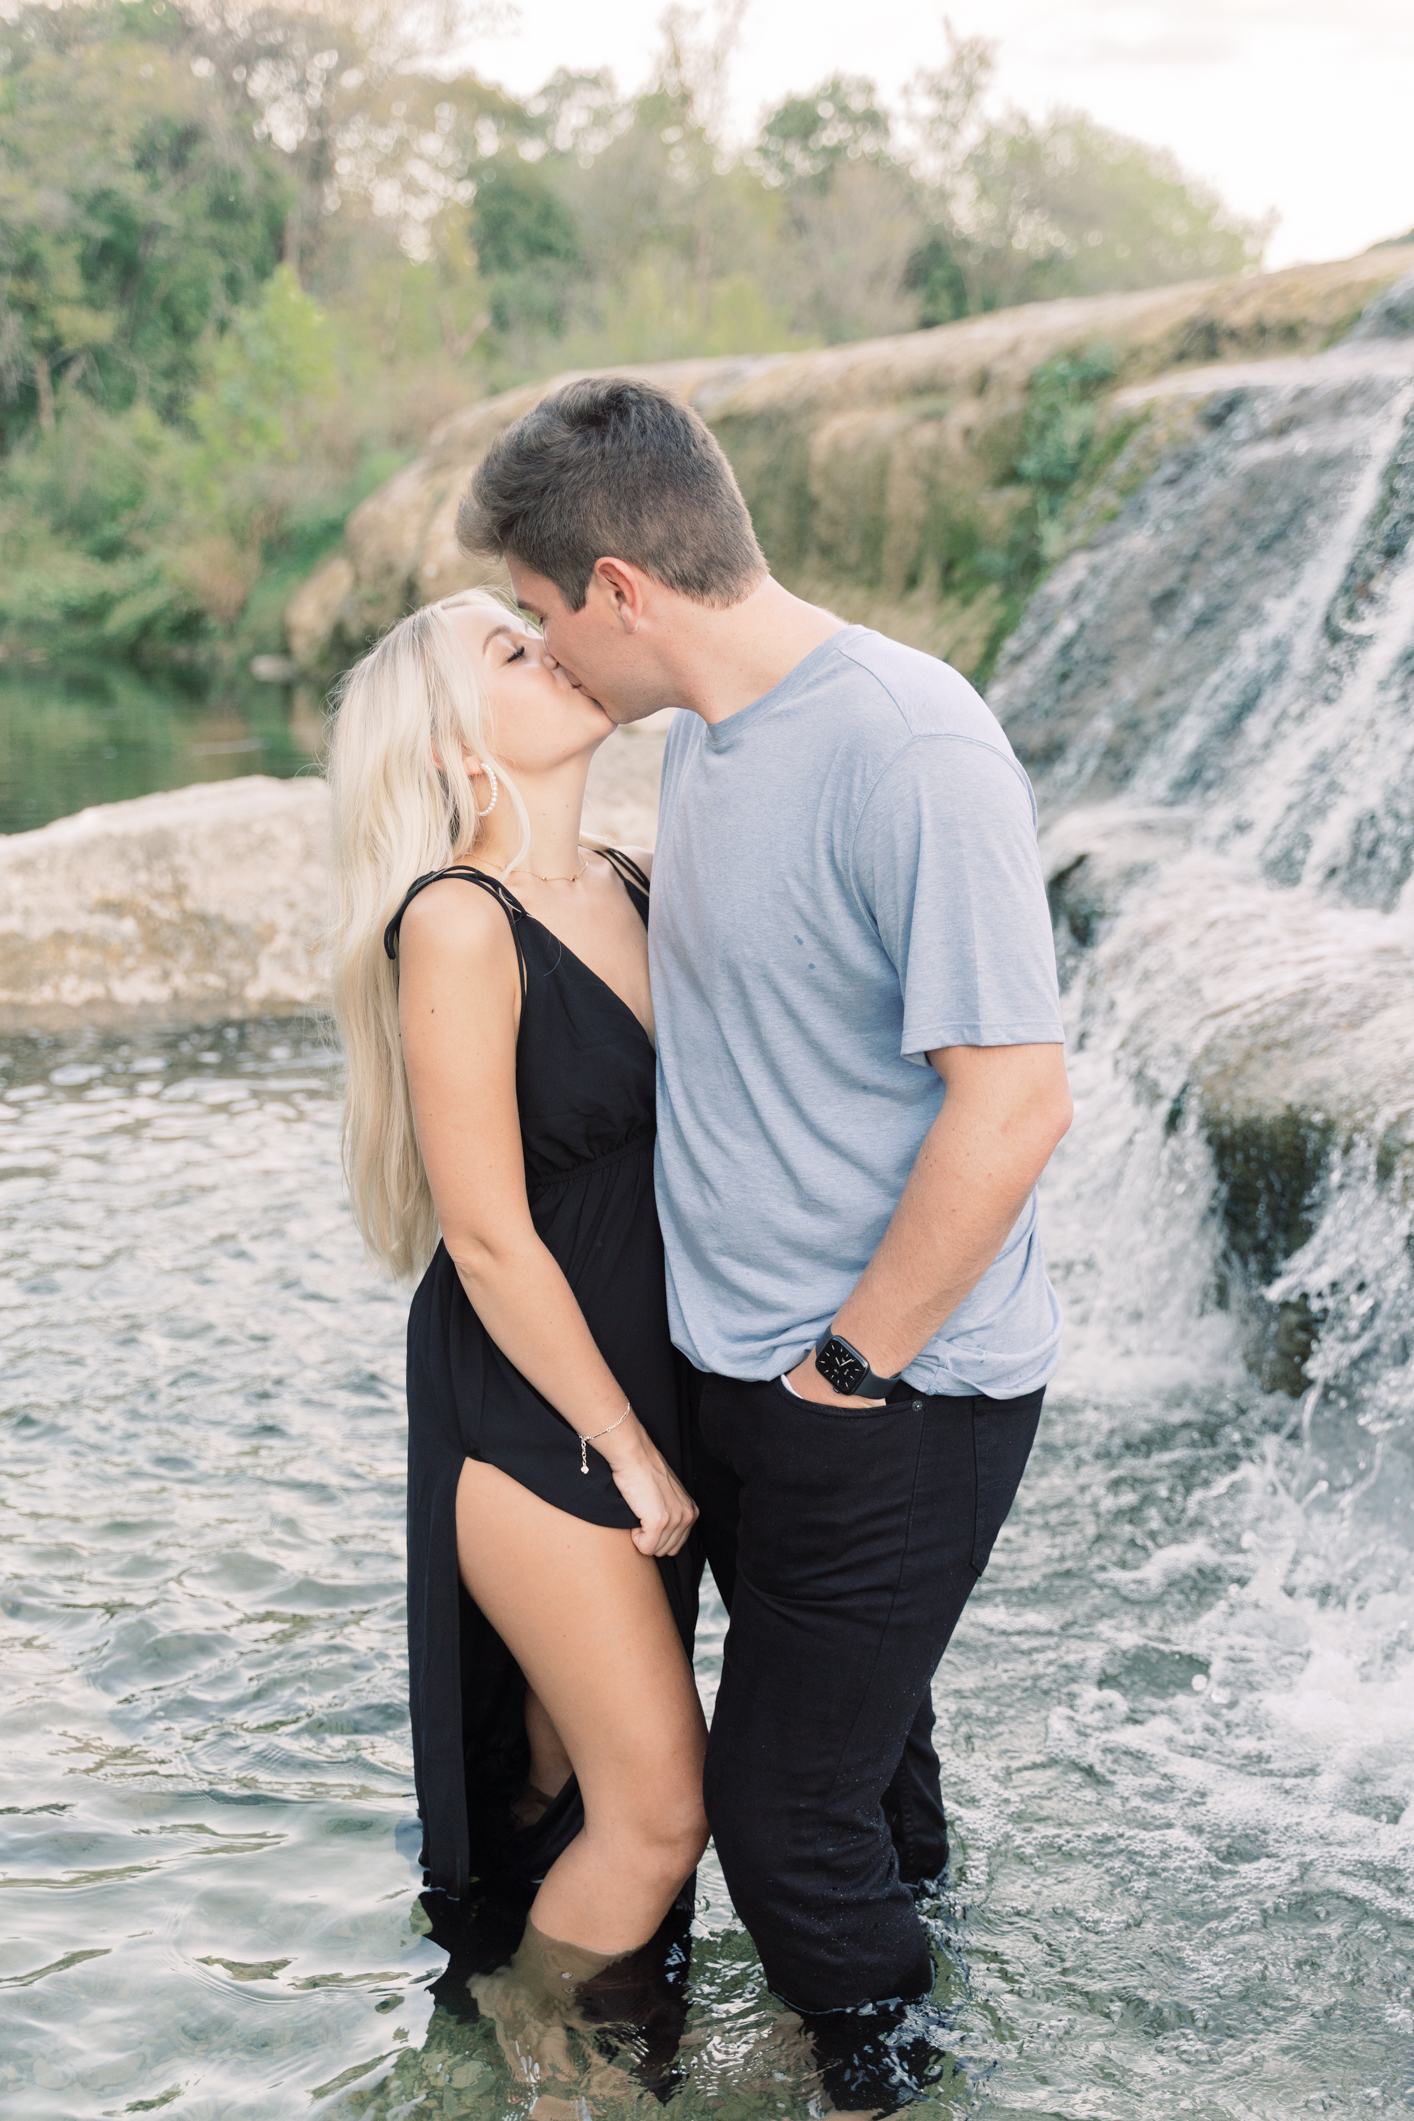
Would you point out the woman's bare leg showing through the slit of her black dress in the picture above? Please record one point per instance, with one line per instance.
(588, 1622)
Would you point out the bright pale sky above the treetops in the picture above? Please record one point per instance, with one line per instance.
(1294, 105)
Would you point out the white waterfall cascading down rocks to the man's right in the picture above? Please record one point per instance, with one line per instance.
(1216, 703)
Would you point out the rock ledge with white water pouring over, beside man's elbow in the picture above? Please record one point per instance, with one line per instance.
(1273, 1026)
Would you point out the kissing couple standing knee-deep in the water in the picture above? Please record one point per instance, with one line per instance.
(718, 1165)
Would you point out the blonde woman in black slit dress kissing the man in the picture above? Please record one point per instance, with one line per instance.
(493, 992)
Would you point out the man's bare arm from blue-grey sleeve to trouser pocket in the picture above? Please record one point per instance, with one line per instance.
(1006, 1110)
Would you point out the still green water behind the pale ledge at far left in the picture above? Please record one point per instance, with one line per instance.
(105, 733)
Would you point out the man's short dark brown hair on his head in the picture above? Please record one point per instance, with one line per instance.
(622, 470)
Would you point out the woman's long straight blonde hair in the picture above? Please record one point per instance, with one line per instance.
(397, 813)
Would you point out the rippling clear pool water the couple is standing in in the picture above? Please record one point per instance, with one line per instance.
(1176, 1725)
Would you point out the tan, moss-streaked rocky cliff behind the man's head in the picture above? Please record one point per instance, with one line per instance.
(919, 485)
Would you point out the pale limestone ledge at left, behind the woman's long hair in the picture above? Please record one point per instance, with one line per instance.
(194, 907)
